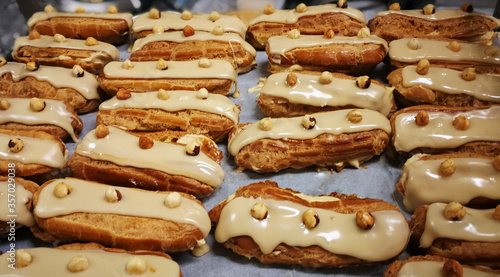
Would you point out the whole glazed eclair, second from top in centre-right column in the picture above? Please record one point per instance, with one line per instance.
(349, 55)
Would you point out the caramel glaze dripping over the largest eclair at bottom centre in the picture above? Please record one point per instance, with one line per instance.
(337, 233)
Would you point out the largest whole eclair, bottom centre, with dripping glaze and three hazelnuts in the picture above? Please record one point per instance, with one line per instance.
(283, 226)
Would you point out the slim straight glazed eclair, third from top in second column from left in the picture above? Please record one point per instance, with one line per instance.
(217, 76)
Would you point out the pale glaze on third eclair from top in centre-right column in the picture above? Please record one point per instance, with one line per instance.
(340, 92)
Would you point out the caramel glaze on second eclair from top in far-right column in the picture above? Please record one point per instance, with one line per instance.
(437, 50)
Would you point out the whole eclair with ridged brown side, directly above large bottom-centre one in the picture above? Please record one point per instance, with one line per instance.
(327, 140)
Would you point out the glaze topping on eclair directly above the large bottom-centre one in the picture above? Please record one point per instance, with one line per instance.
(334, 123)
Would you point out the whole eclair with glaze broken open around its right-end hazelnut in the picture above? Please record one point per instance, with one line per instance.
(190, 165)
